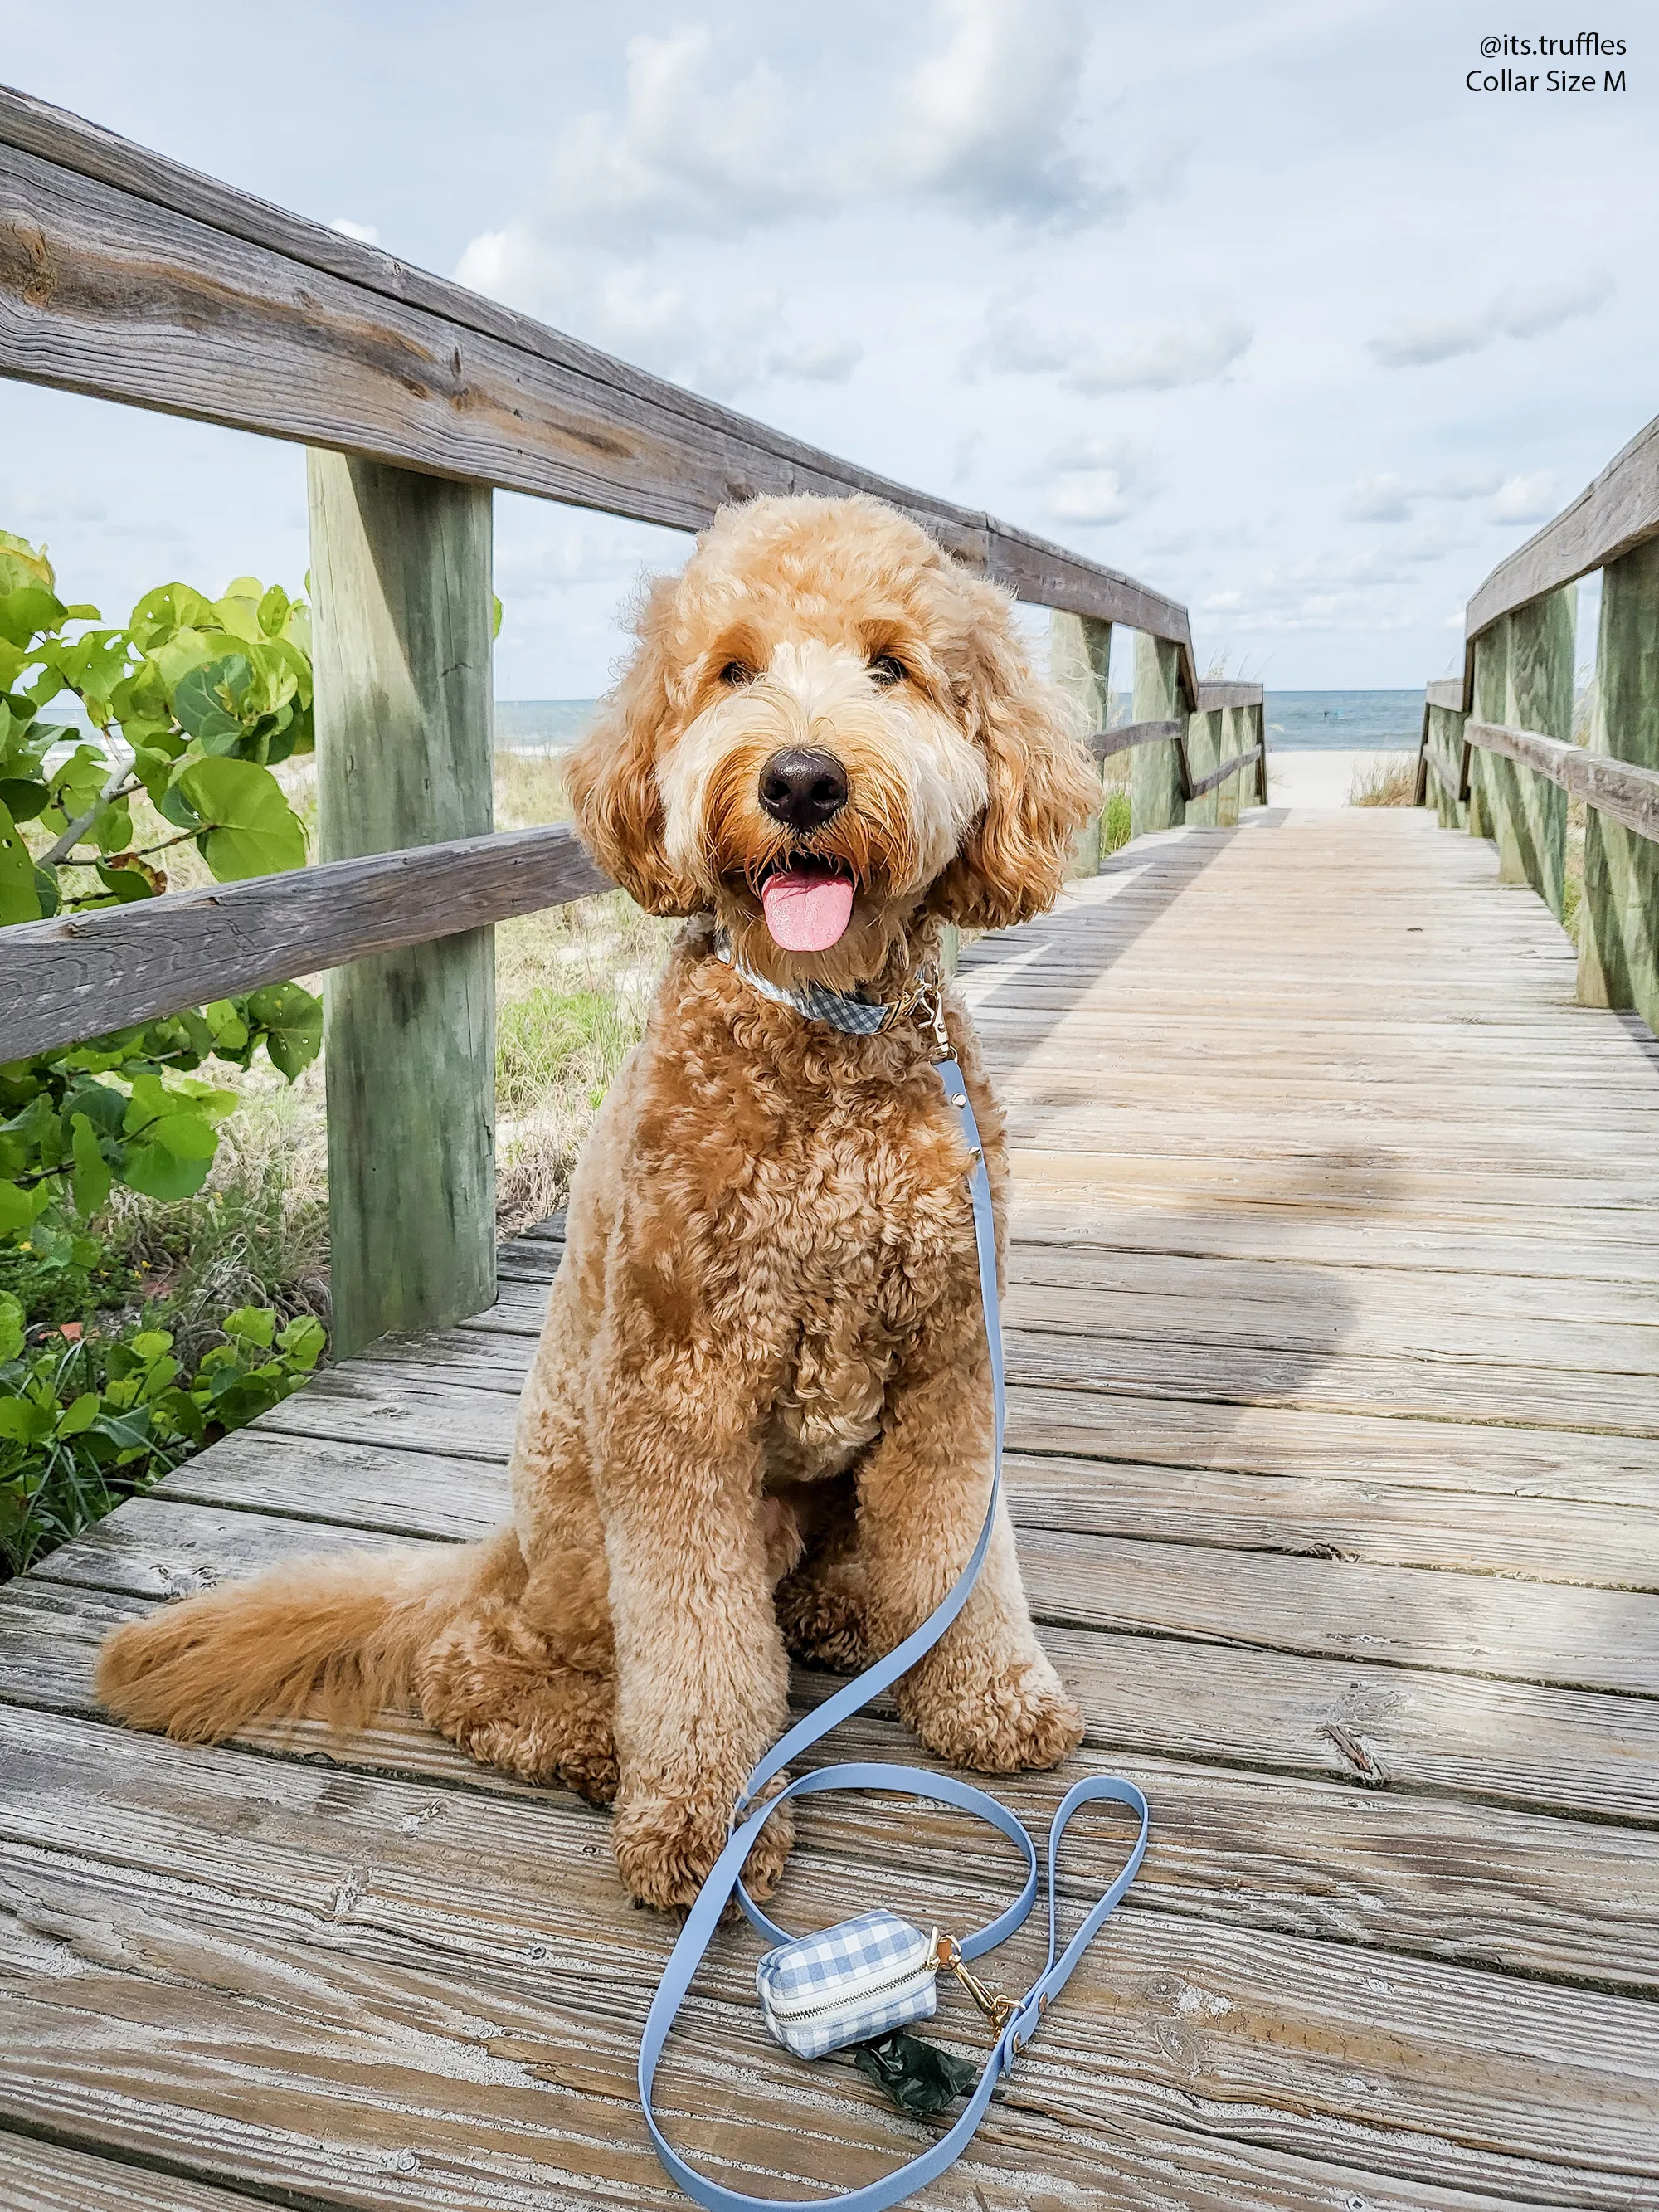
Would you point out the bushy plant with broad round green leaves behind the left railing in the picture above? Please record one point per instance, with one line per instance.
(191, 705)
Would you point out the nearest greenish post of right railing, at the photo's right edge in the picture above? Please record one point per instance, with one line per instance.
(1620, 915)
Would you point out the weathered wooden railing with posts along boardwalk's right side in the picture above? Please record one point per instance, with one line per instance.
(1499, 751)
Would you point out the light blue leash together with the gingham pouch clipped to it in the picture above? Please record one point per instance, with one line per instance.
(875, 1974)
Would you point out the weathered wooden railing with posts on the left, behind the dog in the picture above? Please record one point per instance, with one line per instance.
(134, 280)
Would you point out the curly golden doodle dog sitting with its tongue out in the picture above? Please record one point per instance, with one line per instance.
(760, 1419)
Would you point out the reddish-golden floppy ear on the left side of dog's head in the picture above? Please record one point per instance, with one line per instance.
(612, 775)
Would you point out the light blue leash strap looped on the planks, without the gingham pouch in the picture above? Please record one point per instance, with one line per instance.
(1016, 2021)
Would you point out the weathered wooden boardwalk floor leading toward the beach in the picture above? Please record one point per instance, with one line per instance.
(1337, 1470)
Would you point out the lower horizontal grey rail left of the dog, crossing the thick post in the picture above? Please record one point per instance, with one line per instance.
(85, 974)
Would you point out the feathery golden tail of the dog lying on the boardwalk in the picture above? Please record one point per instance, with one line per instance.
(331, 1638)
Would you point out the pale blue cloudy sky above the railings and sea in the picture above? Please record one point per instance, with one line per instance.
(1255, 302)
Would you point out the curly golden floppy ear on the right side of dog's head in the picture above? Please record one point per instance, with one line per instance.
(1043, 784)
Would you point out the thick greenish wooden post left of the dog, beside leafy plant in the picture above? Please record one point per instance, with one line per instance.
(401, 605)
